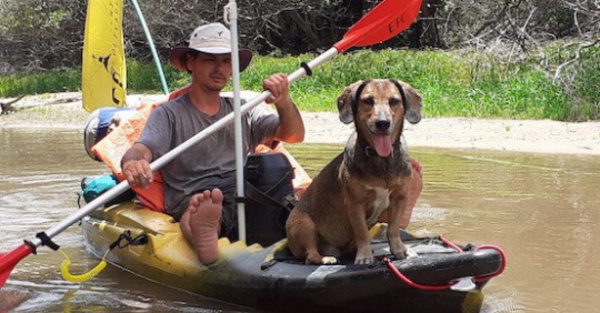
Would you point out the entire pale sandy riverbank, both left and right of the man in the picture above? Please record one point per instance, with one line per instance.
(538, 136)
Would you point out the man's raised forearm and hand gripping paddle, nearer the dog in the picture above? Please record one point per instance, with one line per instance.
(291, 126)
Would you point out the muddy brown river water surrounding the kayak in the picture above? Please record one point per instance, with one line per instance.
(542, 210)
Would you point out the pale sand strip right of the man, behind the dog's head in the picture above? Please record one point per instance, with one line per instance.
(538, 136)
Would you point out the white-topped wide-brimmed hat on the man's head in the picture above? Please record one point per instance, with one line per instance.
(212, 38)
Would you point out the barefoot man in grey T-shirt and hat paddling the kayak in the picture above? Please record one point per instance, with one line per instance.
(199, 185)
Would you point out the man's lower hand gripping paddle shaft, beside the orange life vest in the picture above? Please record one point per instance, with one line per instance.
(135, 165)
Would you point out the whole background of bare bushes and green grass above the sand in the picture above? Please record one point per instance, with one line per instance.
(522, 56)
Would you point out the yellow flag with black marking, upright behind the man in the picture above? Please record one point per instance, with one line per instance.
(104, 77)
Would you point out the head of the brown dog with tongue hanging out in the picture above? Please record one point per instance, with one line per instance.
(378, 108)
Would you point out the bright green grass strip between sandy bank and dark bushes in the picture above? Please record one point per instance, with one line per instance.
(455, 83)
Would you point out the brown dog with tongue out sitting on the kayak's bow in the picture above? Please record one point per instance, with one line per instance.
(370, 176)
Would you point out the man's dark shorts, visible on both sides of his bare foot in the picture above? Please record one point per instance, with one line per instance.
(229, 227)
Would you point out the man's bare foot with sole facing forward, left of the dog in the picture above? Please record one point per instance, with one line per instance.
(204, 221)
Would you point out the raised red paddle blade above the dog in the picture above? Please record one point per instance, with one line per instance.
(386, 20)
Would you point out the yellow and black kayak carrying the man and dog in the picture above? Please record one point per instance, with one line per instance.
(151, 245)
